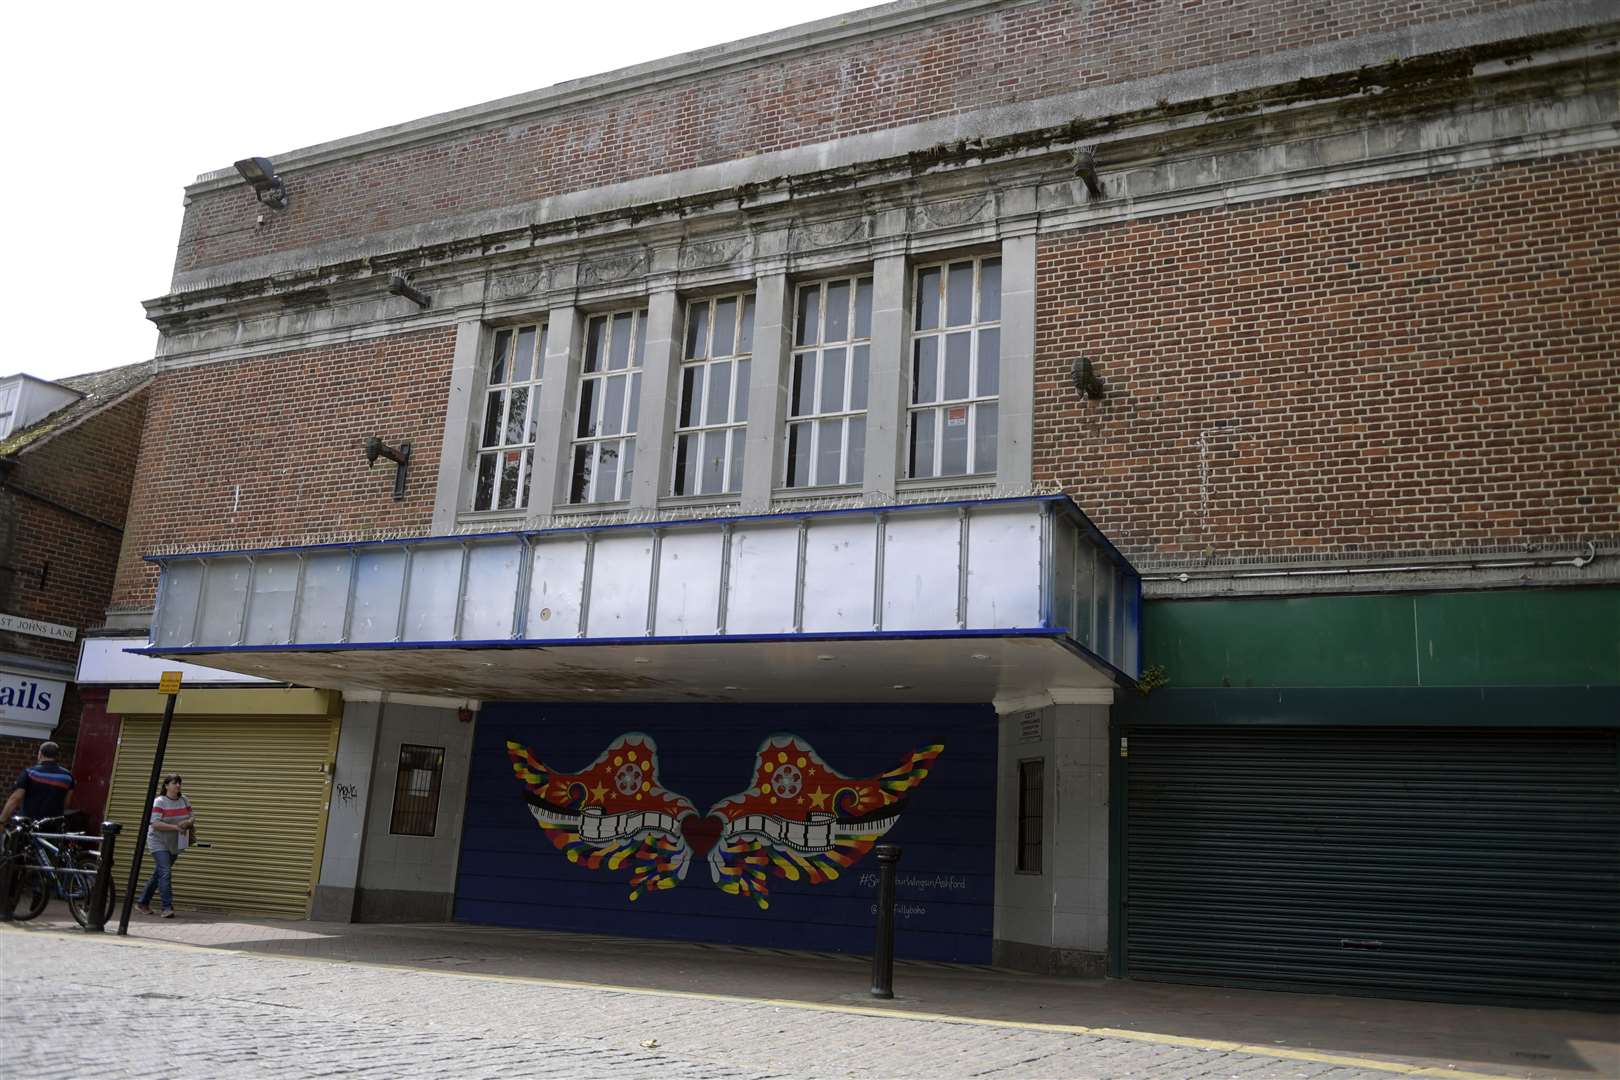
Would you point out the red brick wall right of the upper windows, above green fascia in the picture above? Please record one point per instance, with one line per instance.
(1405, 367)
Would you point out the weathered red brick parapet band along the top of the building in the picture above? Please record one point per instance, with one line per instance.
(987, 59)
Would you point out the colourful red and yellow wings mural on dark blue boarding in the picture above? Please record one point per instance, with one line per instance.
(799, 820)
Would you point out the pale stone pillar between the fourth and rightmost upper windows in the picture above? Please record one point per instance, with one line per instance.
(889, 388)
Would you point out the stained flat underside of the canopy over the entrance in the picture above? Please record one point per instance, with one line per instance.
(937, 670)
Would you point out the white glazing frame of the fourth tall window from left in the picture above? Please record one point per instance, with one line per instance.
(816, 351)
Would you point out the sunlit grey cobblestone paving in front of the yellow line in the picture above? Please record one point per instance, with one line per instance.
(117, 1008)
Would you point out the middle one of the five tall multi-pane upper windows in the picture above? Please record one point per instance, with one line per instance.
(714, 396)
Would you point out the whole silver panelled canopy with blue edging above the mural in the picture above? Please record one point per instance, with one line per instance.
(1017, 593)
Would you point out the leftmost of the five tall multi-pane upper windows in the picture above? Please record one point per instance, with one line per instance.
(506, 449)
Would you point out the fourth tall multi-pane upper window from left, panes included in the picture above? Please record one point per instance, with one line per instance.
(827, 412)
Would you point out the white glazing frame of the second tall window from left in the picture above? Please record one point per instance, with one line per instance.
(592, 420)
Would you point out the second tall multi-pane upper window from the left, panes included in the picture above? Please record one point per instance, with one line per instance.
(610, 396)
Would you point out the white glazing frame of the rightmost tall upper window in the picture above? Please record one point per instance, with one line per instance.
(970, 409)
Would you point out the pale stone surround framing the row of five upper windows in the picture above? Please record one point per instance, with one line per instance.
(665, 299)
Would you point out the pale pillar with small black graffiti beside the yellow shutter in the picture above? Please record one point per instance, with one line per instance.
(336, 895)
